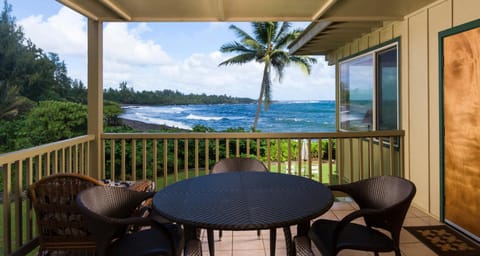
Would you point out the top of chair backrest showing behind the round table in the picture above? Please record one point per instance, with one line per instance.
(238, 164)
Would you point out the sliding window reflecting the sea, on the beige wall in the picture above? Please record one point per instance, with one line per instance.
(369, 91)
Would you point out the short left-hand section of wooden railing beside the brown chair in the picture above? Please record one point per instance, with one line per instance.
(22, 168)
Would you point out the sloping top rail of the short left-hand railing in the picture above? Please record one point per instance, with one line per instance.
(29, 152)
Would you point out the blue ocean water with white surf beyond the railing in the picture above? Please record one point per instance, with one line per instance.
(282, 116)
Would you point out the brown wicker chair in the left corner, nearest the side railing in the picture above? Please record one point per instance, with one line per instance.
(61, 227)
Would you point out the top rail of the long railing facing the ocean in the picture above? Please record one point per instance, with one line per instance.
(253, 135)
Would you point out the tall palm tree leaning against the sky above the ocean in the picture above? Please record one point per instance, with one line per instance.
(268, 46)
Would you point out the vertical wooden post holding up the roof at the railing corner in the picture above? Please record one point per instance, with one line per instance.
(95, 95)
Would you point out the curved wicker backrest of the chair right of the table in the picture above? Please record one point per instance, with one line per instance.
(391, 194)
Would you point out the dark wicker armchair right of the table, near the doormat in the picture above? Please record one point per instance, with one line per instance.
(383, 202)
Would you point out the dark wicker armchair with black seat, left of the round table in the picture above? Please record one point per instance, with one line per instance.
(109, 214)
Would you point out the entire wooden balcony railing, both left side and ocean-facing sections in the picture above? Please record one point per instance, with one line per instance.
(169, 157)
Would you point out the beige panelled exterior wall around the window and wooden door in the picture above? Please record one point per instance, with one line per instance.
(419, 87)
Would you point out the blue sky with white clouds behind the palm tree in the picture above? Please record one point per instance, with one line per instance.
(180, 56)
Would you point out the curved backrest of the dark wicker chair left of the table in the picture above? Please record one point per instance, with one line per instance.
(106, 209)
